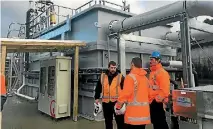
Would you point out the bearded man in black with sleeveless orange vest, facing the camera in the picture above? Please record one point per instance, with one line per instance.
(110, 85)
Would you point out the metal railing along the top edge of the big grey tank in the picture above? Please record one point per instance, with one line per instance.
(41, 21)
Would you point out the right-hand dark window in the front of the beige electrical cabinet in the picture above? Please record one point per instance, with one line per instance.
(51, 80)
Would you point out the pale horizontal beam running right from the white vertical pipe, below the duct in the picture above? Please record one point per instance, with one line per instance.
(149, 40)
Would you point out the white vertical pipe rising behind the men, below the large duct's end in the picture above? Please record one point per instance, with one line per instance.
(122, 54)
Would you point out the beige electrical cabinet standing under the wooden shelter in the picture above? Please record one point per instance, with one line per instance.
(55, 86)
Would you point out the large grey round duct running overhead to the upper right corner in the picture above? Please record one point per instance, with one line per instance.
(162, 16)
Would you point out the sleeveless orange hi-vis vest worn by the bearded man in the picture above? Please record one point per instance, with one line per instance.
(111, 92)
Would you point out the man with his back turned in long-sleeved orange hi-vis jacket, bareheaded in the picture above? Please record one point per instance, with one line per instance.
(134, 97)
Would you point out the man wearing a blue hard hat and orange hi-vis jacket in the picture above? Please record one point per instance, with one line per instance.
(159, 91)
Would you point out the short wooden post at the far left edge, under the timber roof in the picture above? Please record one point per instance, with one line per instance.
(3, 59)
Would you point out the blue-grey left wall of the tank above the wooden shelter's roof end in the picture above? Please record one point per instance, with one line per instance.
(83, 27)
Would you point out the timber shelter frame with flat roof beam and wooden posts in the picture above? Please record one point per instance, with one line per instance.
(32, 45)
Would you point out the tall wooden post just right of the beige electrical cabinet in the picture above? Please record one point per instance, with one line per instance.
(75, 103)
